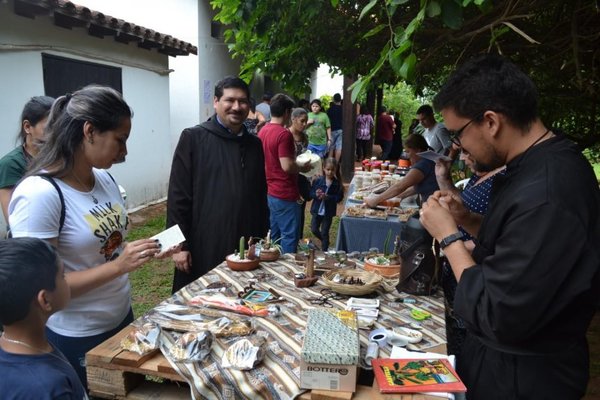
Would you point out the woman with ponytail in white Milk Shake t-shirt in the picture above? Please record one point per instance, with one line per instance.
(86, 134)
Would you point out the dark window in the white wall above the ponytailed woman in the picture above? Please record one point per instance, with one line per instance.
(65, 75)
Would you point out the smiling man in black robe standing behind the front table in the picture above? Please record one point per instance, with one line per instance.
(217, 187)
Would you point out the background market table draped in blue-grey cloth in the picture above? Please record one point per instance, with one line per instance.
(361, 234)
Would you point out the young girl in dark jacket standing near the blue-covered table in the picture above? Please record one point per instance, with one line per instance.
(326, 192)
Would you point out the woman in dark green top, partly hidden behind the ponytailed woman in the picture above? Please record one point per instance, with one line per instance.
(14, 164)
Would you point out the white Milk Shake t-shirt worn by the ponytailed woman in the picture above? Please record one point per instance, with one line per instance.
(94, 229)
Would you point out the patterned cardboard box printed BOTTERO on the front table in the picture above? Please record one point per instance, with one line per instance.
(331, 351)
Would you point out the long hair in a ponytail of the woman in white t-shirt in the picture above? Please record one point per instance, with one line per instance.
(101, 106)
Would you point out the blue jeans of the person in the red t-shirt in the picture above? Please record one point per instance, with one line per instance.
(285, 221)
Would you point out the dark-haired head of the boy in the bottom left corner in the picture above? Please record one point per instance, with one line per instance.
(31, 275)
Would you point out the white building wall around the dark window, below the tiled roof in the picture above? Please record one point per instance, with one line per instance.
(22, 41)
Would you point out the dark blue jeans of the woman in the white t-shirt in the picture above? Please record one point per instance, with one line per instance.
(74, 348)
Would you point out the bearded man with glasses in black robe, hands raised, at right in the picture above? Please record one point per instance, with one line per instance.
(530, 288)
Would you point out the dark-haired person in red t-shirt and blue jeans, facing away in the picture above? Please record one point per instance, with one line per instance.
(282, 174)
